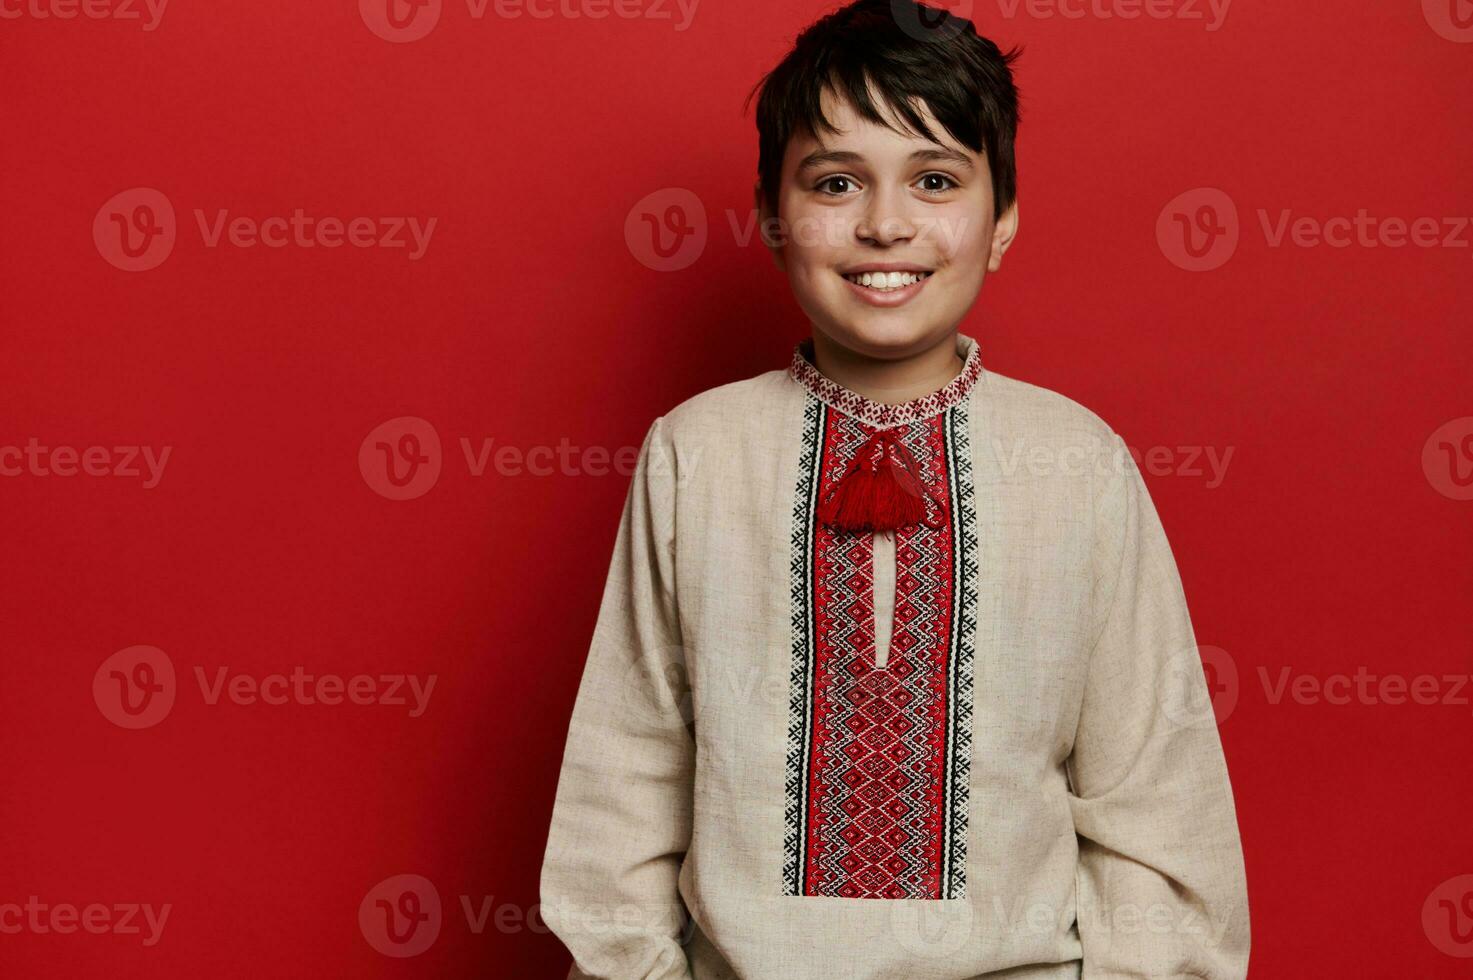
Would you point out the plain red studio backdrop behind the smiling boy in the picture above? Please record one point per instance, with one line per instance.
(530, 321)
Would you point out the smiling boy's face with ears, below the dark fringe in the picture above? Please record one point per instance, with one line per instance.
(879, 201)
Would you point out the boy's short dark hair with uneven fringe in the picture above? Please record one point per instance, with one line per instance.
(907, 51)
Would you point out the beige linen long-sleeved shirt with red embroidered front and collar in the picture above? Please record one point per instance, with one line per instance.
(976, 748)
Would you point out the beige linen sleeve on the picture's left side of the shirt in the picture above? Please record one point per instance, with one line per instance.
(622, 816)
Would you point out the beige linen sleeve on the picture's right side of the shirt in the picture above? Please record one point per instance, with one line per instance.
(1161, 885)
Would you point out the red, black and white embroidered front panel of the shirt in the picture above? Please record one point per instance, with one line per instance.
(880, 757)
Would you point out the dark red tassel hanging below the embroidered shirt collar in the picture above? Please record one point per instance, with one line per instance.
(882, 490)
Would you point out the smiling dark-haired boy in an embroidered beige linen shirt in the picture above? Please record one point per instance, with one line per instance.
(893, 674)
